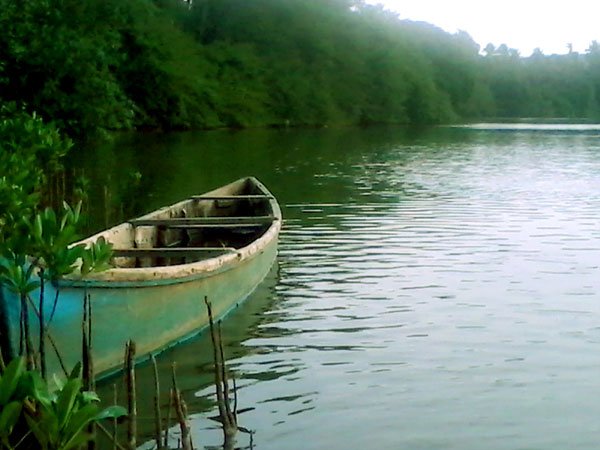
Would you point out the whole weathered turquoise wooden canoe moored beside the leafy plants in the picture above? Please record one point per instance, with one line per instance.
(219, 245)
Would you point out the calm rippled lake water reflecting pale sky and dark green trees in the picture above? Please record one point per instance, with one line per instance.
(435, 289)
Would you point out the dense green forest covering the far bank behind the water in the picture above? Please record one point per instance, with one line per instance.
(96, 66)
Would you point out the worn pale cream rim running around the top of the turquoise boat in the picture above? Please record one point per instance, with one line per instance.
(178, 273)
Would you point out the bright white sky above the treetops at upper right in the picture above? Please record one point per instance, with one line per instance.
(524, 24)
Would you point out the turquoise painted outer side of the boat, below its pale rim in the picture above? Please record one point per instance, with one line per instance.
(154, 315)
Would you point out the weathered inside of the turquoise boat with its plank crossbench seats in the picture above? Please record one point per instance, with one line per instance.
(201, 227)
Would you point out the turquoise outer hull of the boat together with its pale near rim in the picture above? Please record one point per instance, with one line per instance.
(155, 307)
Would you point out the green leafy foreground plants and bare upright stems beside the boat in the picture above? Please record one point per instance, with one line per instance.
(40, 408)
